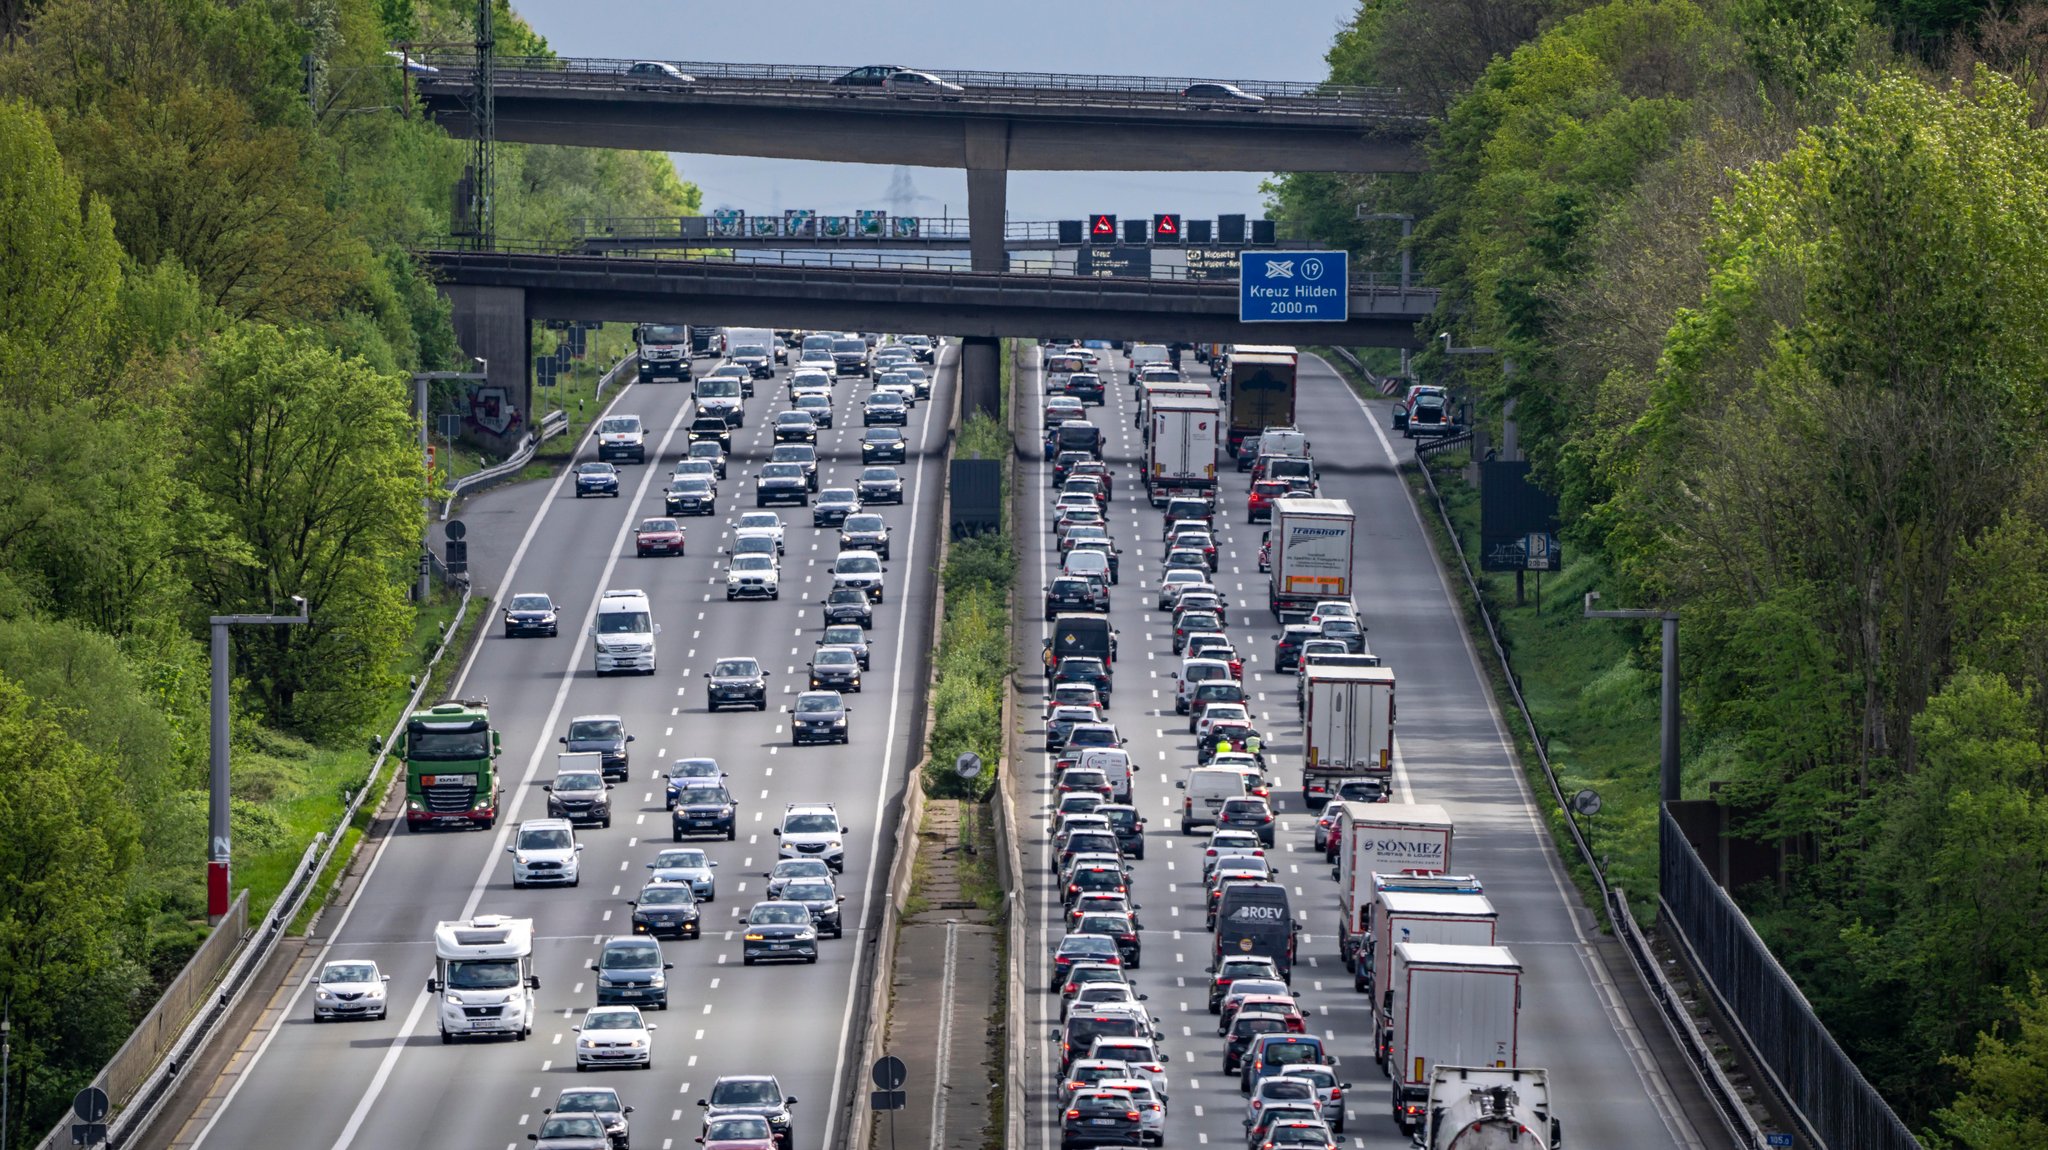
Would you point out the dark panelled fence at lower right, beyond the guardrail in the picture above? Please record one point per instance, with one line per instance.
(1828, 1094)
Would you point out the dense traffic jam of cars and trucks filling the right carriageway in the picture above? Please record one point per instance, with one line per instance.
(1193, 498)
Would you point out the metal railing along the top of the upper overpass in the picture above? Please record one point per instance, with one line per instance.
(1164, 93)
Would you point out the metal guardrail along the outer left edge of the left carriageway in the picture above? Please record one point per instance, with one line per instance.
(136, 1112)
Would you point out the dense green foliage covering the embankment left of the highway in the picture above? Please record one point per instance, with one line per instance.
(208, 312)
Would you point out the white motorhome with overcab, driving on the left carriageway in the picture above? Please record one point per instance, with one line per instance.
(484, 977)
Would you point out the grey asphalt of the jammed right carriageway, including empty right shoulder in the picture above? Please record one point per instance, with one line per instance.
(1451, 752)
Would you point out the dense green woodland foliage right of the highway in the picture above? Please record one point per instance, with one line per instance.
(1770, 283)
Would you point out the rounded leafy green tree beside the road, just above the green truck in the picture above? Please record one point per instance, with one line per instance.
(310, 461)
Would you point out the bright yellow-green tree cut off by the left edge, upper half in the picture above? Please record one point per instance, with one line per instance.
(60, 273)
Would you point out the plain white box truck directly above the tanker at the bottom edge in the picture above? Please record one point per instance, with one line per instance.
(1455, 1006)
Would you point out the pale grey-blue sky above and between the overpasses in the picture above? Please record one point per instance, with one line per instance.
(1222, 40)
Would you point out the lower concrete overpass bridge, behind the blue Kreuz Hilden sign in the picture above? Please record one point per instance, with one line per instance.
(497, 296)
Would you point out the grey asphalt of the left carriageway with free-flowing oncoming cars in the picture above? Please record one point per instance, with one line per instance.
(374, 1086)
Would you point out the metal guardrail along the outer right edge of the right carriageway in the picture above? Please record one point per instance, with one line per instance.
(1678, 1020)
